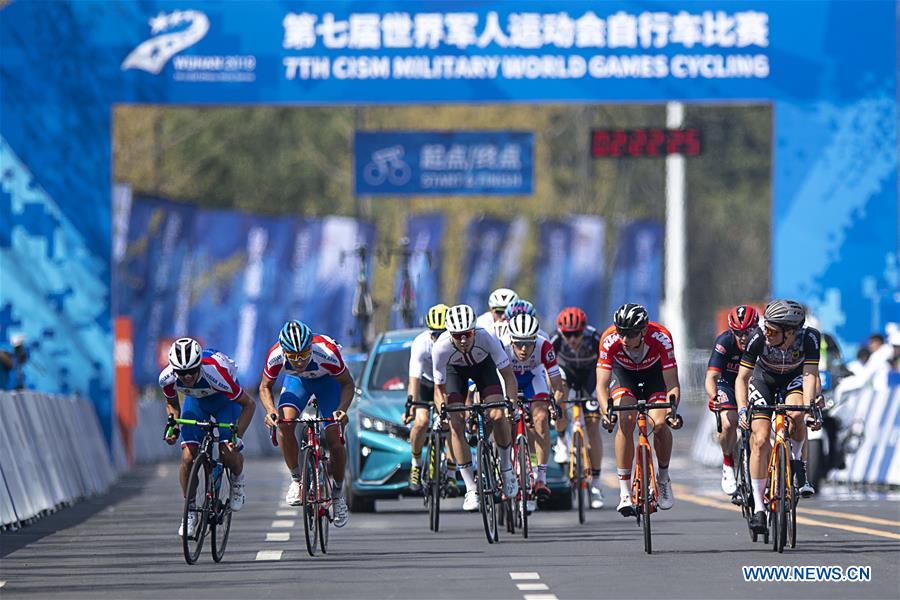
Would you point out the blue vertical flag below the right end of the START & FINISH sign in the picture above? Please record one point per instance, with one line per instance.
(485, 243)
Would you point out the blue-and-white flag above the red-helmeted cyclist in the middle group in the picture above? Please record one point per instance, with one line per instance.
(570, 267)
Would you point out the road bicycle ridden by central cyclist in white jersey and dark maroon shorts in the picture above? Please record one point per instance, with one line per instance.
(488, 479)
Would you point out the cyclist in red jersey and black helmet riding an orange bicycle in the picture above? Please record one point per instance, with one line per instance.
(635, 350)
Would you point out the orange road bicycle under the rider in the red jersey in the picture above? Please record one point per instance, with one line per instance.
(644, 494)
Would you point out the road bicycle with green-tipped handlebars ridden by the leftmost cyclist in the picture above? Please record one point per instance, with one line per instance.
(205, 500)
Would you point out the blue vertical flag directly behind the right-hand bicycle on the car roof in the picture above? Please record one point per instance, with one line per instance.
(425, 233)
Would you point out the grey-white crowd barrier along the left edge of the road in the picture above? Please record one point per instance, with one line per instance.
(52, 453)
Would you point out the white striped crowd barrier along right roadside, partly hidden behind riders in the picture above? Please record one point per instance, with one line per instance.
(876, 461)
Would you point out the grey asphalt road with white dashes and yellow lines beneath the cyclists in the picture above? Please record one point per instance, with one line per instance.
(124, 545)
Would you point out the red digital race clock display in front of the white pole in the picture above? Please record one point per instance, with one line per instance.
(653, 141)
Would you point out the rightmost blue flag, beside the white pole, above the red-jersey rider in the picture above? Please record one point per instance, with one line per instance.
(637, 267)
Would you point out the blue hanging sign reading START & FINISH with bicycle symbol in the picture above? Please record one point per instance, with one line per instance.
(443, 163)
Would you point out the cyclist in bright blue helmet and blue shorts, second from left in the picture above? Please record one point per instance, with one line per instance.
(313, 365)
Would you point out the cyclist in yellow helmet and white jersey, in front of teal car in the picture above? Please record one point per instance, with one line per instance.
(421, 386)
